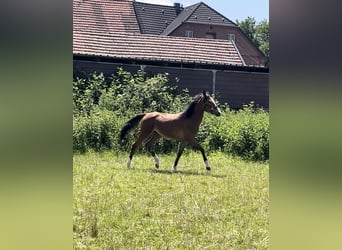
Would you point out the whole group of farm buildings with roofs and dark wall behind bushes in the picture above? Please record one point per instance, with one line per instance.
(195, 44)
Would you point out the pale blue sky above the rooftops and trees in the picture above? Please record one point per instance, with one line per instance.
(231, 9)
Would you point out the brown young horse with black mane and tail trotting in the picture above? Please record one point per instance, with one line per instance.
(182, 127)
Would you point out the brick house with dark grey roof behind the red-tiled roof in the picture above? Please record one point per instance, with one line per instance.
(199, 21)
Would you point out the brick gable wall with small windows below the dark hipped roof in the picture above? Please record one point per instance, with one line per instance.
(250, 54)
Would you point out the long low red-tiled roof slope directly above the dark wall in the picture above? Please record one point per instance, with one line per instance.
(155, 48)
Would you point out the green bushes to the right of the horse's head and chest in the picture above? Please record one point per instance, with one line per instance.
(243, 133)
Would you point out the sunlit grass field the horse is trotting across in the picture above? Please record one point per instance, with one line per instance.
(143, 208)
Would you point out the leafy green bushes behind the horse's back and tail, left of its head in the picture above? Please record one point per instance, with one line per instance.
(102, 106)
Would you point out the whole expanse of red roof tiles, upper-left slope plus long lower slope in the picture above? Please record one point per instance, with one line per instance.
(109, 28)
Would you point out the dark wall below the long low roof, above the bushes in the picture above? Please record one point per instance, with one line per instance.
(232, 87)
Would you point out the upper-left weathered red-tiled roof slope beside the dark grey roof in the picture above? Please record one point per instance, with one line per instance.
(104, 16)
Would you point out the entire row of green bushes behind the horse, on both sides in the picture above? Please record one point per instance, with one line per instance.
(102, 106)
